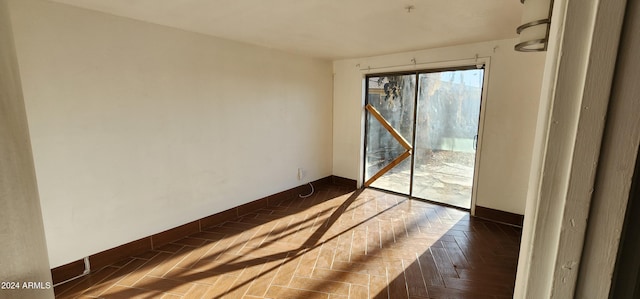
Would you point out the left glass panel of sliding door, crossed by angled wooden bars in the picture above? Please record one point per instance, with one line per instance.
(389, 132)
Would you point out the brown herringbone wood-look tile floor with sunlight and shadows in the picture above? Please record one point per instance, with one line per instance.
(335, 244)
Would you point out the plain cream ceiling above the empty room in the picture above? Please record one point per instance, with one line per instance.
(329, 29)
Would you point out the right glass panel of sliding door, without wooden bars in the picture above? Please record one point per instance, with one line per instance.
(446, 135)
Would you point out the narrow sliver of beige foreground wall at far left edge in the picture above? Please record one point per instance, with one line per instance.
(23, 254)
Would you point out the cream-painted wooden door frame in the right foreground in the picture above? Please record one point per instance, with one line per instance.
(575, 94)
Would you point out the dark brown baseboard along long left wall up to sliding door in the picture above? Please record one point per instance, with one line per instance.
(113, 255)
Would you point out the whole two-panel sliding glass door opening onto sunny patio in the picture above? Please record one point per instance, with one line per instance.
(422, 133)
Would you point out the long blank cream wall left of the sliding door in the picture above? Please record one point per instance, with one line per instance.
(138, 128)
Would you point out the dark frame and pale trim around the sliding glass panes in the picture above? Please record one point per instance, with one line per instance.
(479, 62)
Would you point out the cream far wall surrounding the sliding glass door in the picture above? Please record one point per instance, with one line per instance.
(510, 118)
